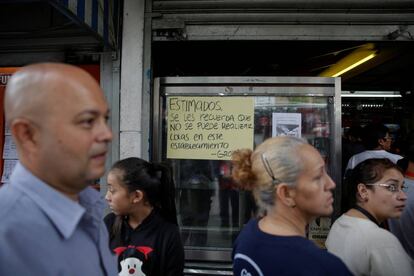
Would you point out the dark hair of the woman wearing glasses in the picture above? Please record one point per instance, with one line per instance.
(367, 172)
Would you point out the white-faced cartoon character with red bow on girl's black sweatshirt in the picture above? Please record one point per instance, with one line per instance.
(131, 264)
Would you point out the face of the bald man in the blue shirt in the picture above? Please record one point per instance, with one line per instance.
(74, 135)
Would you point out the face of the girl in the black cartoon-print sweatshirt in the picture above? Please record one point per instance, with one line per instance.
(120, 200)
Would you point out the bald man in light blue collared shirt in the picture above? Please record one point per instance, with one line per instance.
(51, 221)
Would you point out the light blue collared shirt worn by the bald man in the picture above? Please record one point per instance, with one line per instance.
(43, 232)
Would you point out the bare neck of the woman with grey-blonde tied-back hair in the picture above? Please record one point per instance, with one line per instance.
(283, 223)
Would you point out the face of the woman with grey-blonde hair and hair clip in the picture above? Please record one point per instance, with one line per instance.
(313, 192)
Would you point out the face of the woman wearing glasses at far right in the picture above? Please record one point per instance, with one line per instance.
(385, 199)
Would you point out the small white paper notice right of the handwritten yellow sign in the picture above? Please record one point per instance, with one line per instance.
(287, 124)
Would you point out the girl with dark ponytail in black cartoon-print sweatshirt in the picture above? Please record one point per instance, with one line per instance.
(143, 226)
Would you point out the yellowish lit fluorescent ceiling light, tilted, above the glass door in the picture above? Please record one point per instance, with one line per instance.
(354, 59)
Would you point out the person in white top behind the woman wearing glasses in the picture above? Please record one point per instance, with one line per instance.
(377, 141)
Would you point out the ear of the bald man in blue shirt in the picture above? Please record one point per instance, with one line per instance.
(24, 133)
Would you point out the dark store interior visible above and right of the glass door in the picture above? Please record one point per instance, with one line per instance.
(378, 90)
